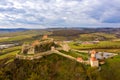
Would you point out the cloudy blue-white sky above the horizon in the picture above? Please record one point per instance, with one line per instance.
(59, 13)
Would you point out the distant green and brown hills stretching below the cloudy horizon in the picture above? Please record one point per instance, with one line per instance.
(62, 34)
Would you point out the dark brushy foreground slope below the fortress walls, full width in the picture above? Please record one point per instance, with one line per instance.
(55, 67)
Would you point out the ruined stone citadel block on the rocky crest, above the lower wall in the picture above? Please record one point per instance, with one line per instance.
(38, 46)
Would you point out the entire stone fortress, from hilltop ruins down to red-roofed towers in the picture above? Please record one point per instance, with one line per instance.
(46, 46)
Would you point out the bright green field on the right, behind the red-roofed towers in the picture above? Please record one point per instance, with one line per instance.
(114, 46)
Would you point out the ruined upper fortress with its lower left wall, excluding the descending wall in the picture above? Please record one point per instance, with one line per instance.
(41, 47)
